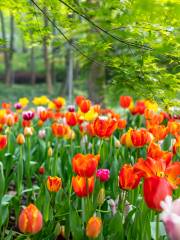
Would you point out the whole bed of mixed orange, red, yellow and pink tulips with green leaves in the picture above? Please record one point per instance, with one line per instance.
(84, 172)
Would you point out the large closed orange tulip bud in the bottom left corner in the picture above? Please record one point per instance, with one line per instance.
(30, 220)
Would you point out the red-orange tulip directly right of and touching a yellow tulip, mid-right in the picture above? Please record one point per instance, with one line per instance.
(139, 137)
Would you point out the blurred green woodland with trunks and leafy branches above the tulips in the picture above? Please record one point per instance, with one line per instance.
(98, 48)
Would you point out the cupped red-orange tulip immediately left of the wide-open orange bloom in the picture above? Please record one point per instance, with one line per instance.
(128, 178)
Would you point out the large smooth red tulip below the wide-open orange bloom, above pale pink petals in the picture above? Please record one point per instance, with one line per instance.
(155, 190)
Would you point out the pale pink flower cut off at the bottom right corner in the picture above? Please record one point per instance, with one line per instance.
(171, 217)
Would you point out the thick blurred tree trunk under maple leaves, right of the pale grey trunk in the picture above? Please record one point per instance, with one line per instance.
(96, 83)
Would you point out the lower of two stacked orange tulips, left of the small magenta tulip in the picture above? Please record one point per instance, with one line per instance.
(82, 186)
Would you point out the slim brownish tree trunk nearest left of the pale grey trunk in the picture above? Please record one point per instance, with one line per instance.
(47, 61)
